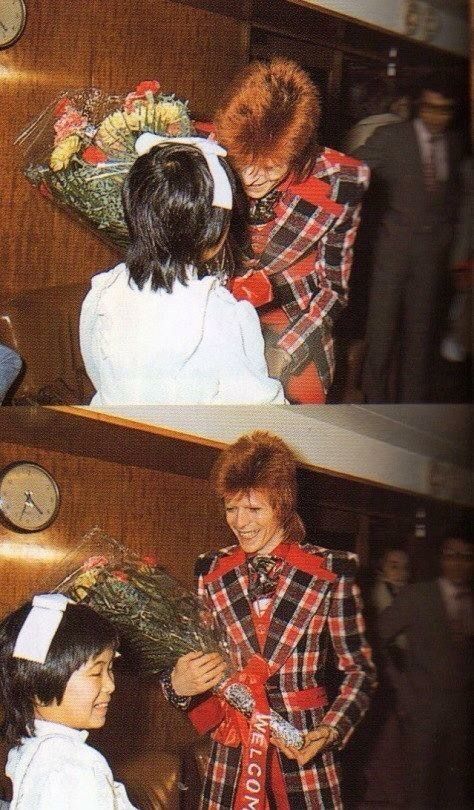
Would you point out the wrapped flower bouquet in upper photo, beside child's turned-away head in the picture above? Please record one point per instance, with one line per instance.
(79, 149)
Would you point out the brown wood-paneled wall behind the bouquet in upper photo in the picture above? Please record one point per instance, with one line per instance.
(112, 45)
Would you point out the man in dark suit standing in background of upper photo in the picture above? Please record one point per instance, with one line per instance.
(418, 161)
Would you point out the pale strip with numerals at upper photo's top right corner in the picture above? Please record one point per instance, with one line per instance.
(453, 30)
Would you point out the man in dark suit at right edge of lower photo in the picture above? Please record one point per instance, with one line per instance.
(437, 617)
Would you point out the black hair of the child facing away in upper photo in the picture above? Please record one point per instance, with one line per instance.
(167, 201)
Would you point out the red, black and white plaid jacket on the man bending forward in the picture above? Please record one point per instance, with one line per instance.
(308, 255)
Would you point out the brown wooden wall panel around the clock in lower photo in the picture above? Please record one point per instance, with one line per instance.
(174, 516)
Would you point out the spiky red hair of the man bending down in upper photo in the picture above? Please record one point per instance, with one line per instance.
(270, 116)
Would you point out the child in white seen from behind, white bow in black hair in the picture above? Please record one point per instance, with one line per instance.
(162, 328)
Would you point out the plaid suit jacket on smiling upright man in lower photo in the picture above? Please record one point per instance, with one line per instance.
(316, 613)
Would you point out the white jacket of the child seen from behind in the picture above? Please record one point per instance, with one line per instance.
(195, 345)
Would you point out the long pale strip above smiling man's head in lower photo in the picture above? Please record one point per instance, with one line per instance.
(341, 448)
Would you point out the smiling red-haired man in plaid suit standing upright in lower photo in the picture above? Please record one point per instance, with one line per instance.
(290, 612)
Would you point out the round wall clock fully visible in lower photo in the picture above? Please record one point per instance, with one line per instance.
(29, 496)
